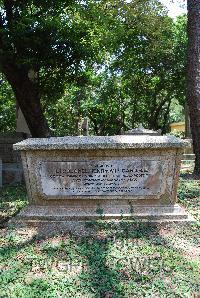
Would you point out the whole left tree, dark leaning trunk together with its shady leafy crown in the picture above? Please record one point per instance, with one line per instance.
(43, 44)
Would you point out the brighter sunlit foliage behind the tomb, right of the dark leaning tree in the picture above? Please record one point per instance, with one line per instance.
(142, 76)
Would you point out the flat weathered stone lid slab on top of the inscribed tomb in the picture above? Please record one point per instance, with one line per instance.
(101, 142)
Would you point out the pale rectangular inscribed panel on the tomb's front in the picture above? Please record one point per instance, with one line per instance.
(101, 178)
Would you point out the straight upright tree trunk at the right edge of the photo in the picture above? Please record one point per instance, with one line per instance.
(193, 87)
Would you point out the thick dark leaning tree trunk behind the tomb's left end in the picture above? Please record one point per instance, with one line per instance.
(27, 96)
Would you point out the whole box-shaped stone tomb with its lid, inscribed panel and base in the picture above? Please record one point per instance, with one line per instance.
(83, 178)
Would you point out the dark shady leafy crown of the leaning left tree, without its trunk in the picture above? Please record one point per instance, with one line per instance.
(58, 40)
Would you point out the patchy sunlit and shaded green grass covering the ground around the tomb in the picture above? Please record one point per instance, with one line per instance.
(121, 260)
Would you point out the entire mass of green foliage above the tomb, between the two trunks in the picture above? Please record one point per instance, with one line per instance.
(118, 63)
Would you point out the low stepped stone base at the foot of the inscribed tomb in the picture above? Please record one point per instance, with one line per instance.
(33, 214)
